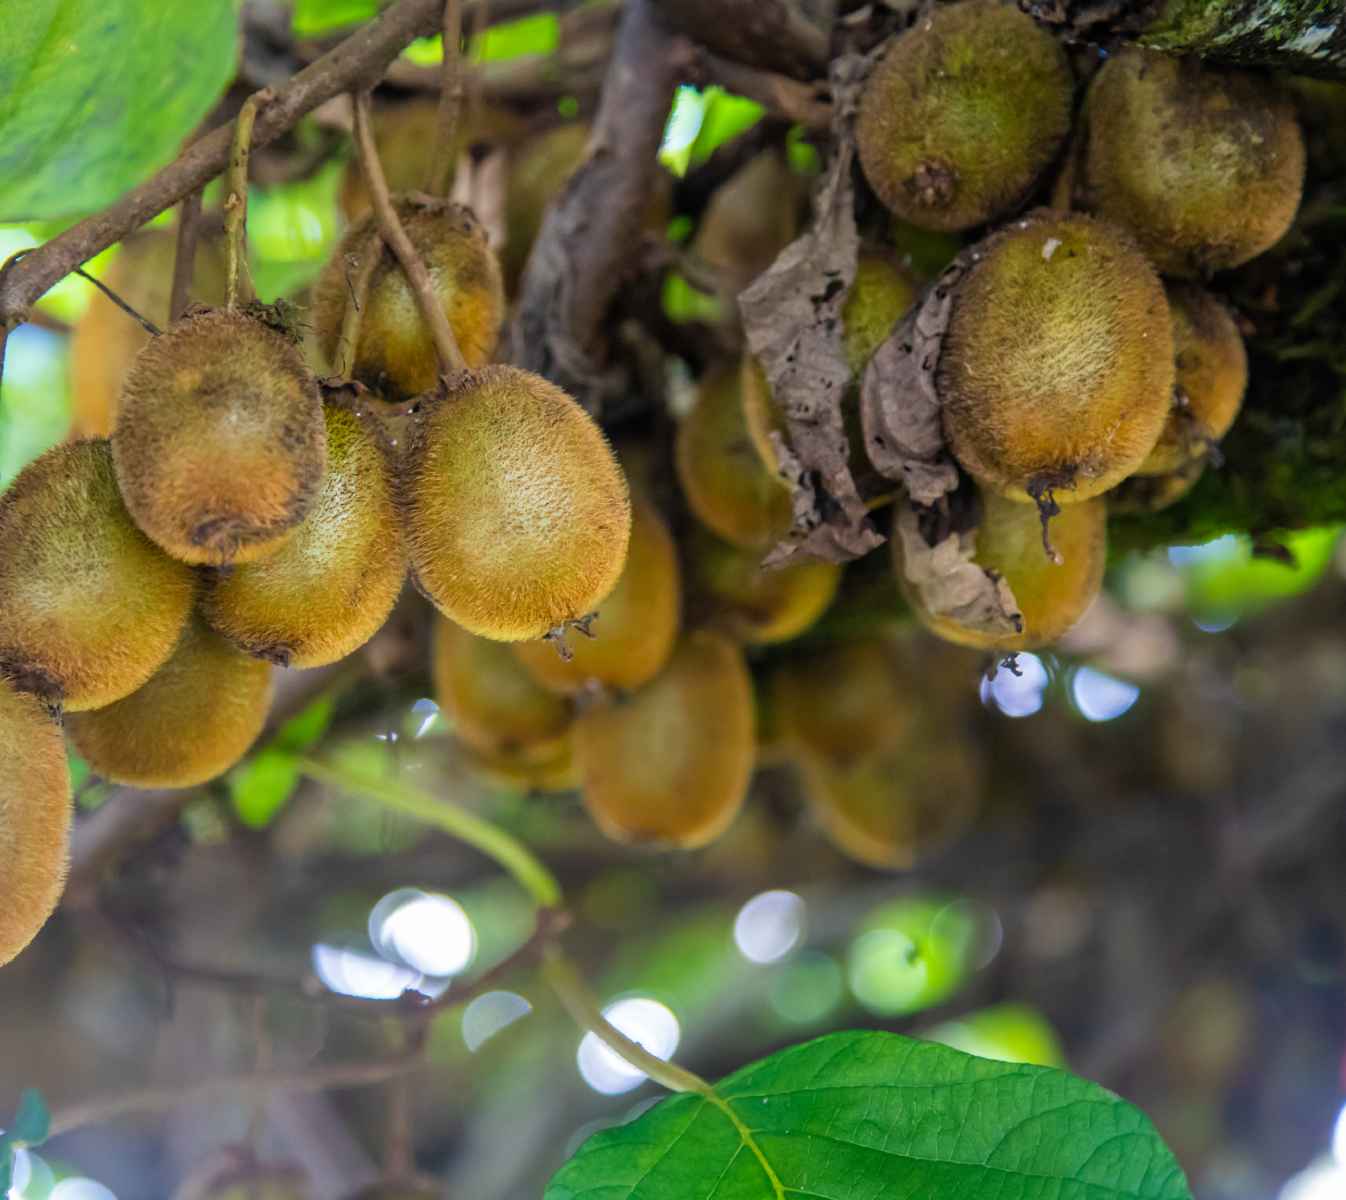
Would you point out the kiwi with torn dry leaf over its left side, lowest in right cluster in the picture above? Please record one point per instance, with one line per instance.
(1052, 598)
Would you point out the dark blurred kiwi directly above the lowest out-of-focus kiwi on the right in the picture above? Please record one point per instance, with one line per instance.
(846, 702)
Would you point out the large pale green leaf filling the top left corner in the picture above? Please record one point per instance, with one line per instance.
(96, 95)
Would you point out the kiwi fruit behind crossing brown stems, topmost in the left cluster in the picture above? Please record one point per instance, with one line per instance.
(395, 353)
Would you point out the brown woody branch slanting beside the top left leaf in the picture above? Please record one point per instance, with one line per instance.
(356, 64)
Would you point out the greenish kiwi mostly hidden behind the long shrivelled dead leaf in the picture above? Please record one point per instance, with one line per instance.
(880, 297)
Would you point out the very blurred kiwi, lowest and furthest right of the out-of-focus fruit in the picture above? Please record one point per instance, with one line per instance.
(898, 804)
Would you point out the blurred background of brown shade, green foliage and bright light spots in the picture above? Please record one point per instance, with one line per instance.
(1127, 852)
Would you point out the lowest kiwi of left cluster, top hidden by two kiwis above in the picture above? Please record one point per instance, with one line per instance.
(194, 720)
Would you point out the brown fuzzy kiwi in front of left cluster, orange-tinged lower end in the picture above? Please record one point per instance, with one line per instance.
(220, 445)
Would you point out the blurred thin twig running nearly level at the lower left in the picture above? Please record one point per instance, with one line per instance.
(155, 1100)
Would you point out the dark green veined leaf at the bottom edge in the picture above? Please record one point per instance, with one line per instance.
(877, 1116)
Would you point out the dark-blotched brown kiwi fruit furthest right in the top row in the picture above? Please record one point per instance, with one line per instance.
(1203, 165)
